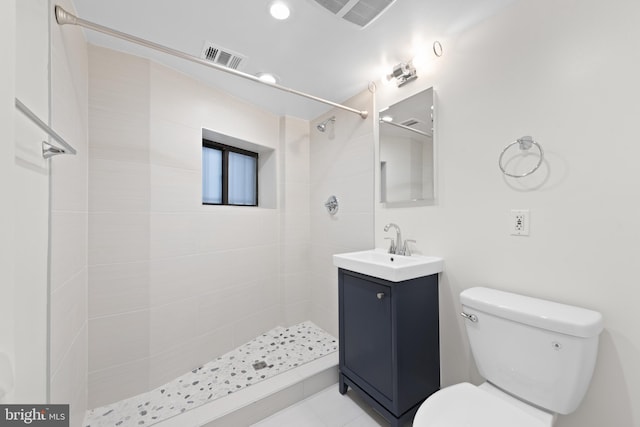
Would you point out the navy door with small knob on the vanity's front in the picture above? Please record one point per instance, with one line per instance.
(367, 333)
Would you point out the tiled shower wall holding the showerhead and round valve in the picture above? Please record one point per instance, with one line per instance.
(342, 165)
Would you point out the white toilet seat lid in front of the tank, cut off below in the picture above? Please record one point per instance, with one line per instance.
(464, 405)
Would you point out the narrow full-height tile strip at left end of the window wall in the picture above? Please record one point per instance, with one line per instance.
(118, 226)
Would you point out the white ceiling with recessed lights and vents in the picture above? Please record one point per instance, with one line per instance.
(314, 51)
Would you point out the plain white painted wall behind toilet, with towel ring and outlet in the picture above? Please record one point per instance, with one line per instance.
(566, 73)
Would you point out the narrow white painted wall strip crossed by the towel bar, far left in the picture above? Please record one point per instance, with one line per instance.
(30, 179)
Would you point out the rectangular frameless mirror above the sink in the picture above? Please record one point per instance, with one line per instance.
(406, 151)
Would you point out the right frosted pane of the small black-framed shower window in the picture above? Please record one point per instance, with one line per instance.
(242, 179)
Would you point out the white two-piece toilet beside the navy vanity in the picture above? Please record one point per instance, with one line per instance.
(537, 357)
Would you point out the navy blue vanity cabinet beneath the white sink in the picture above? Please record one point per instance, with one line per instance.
(389, 342)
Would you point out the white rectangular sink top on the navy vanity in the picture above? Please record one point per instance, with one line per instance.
(395, 268)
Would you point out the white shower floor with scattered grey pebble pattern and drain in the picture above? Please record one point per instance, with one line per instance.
(271, 353)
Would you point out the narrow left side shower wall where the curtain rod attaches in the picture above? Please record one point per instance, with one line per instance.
(69, 218)
